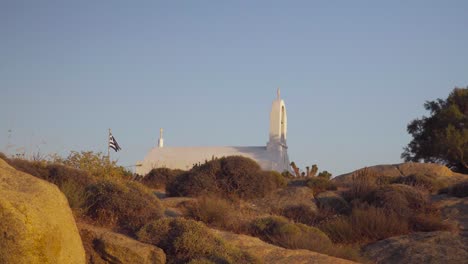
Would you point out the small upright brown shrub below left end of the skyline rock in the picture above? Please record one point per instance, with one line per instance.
(363, 182)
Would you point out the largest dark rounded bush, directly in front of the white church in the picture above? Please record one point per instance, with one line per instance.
(230, 177)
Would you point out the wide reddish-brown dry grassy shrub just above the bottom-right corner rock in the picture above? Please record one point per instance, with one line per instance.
(365, 224)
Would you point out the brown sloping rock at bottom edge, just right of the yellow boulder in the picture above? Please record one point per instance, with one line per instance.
(104, 246)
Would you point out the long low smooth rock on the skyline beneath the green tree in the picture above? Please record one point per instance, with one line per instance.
(407, 169)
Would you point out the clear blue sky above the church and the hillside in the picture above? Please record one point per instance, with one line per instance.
(352, 74)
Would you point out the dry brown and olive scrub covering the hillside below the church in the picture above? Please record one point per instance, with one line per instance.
(234, 194)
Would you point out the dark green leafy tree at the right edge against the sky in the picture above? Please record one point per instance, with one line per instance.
(443, 136)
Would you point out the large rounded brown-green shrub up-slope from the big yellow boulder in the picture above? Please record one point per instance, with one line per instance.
(125, 206)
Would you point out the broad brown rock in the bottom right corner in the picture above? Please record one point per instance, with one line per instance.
(431, 247)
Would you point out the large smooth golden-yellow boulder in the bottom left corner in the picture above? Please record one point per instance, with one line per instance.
(36, 222)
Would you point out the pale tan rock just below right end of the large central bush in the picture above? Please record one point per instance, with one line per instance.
(283, 198)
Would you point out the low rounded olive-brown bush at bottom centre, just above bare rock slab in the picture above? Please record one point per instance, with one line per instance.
(279, 231)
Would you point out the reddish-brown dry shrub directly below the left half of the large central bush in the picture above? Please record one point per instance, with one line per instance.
(215, 212)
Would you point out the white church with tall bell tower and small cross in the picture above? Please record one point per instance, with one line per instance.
(273, 156)
